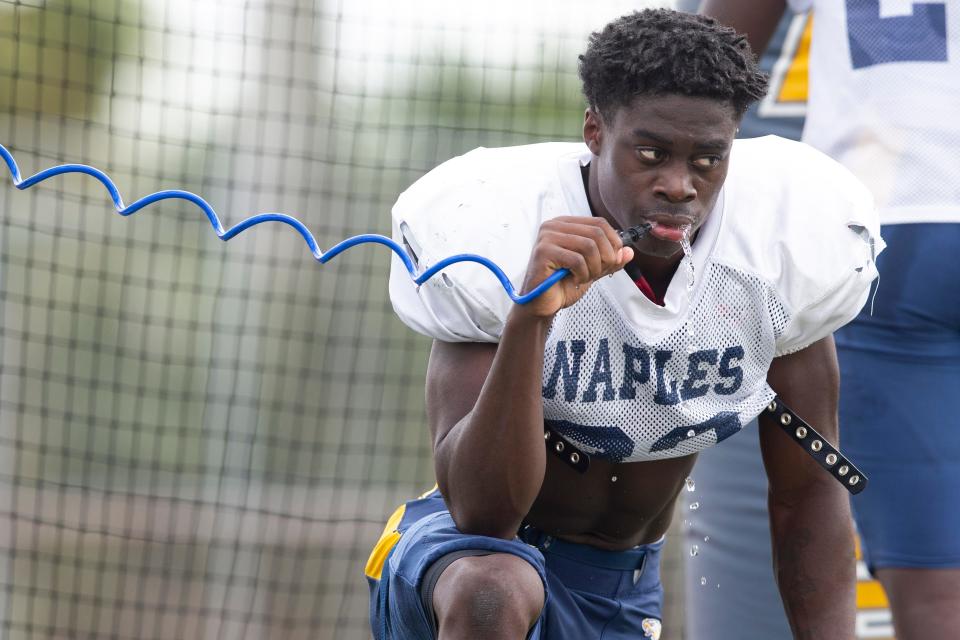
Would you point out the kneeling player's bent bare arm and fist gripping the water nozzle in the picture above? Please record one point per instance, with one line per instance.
(484, 401)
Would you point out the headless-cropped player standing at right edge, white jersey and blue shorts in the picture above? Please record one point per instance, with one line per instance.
(884, 89)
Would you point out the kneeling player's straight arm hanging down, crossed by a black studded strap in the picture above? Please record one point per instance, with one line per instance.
(810, 521)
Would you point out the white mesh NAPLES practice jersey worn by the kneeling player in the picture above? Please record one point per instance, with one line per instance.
(784, 259)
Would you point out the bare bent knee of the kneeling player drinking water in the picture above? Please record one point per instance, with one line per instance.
(495, 596)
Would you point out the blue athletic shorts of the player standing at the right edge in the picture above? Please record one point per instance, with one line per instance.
(900, 379)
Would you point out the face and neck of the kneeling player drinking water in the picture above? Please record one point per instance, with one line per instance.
(661, 161)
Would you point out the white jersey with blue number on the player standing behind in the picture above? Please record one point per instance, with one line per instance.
(884, 100)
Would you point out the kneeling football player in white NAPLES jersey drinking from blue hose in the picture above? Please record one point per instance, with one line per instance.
(627, 377)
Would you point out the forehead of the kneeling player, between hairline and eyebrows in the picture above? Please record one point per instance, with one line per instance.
(676, 118)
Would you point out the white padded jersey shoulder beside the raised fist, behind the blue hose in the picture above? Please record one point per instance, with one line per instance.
(488, 202)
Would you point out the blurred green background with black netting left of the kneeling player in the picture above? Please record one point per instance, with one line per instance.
(200, 440)
